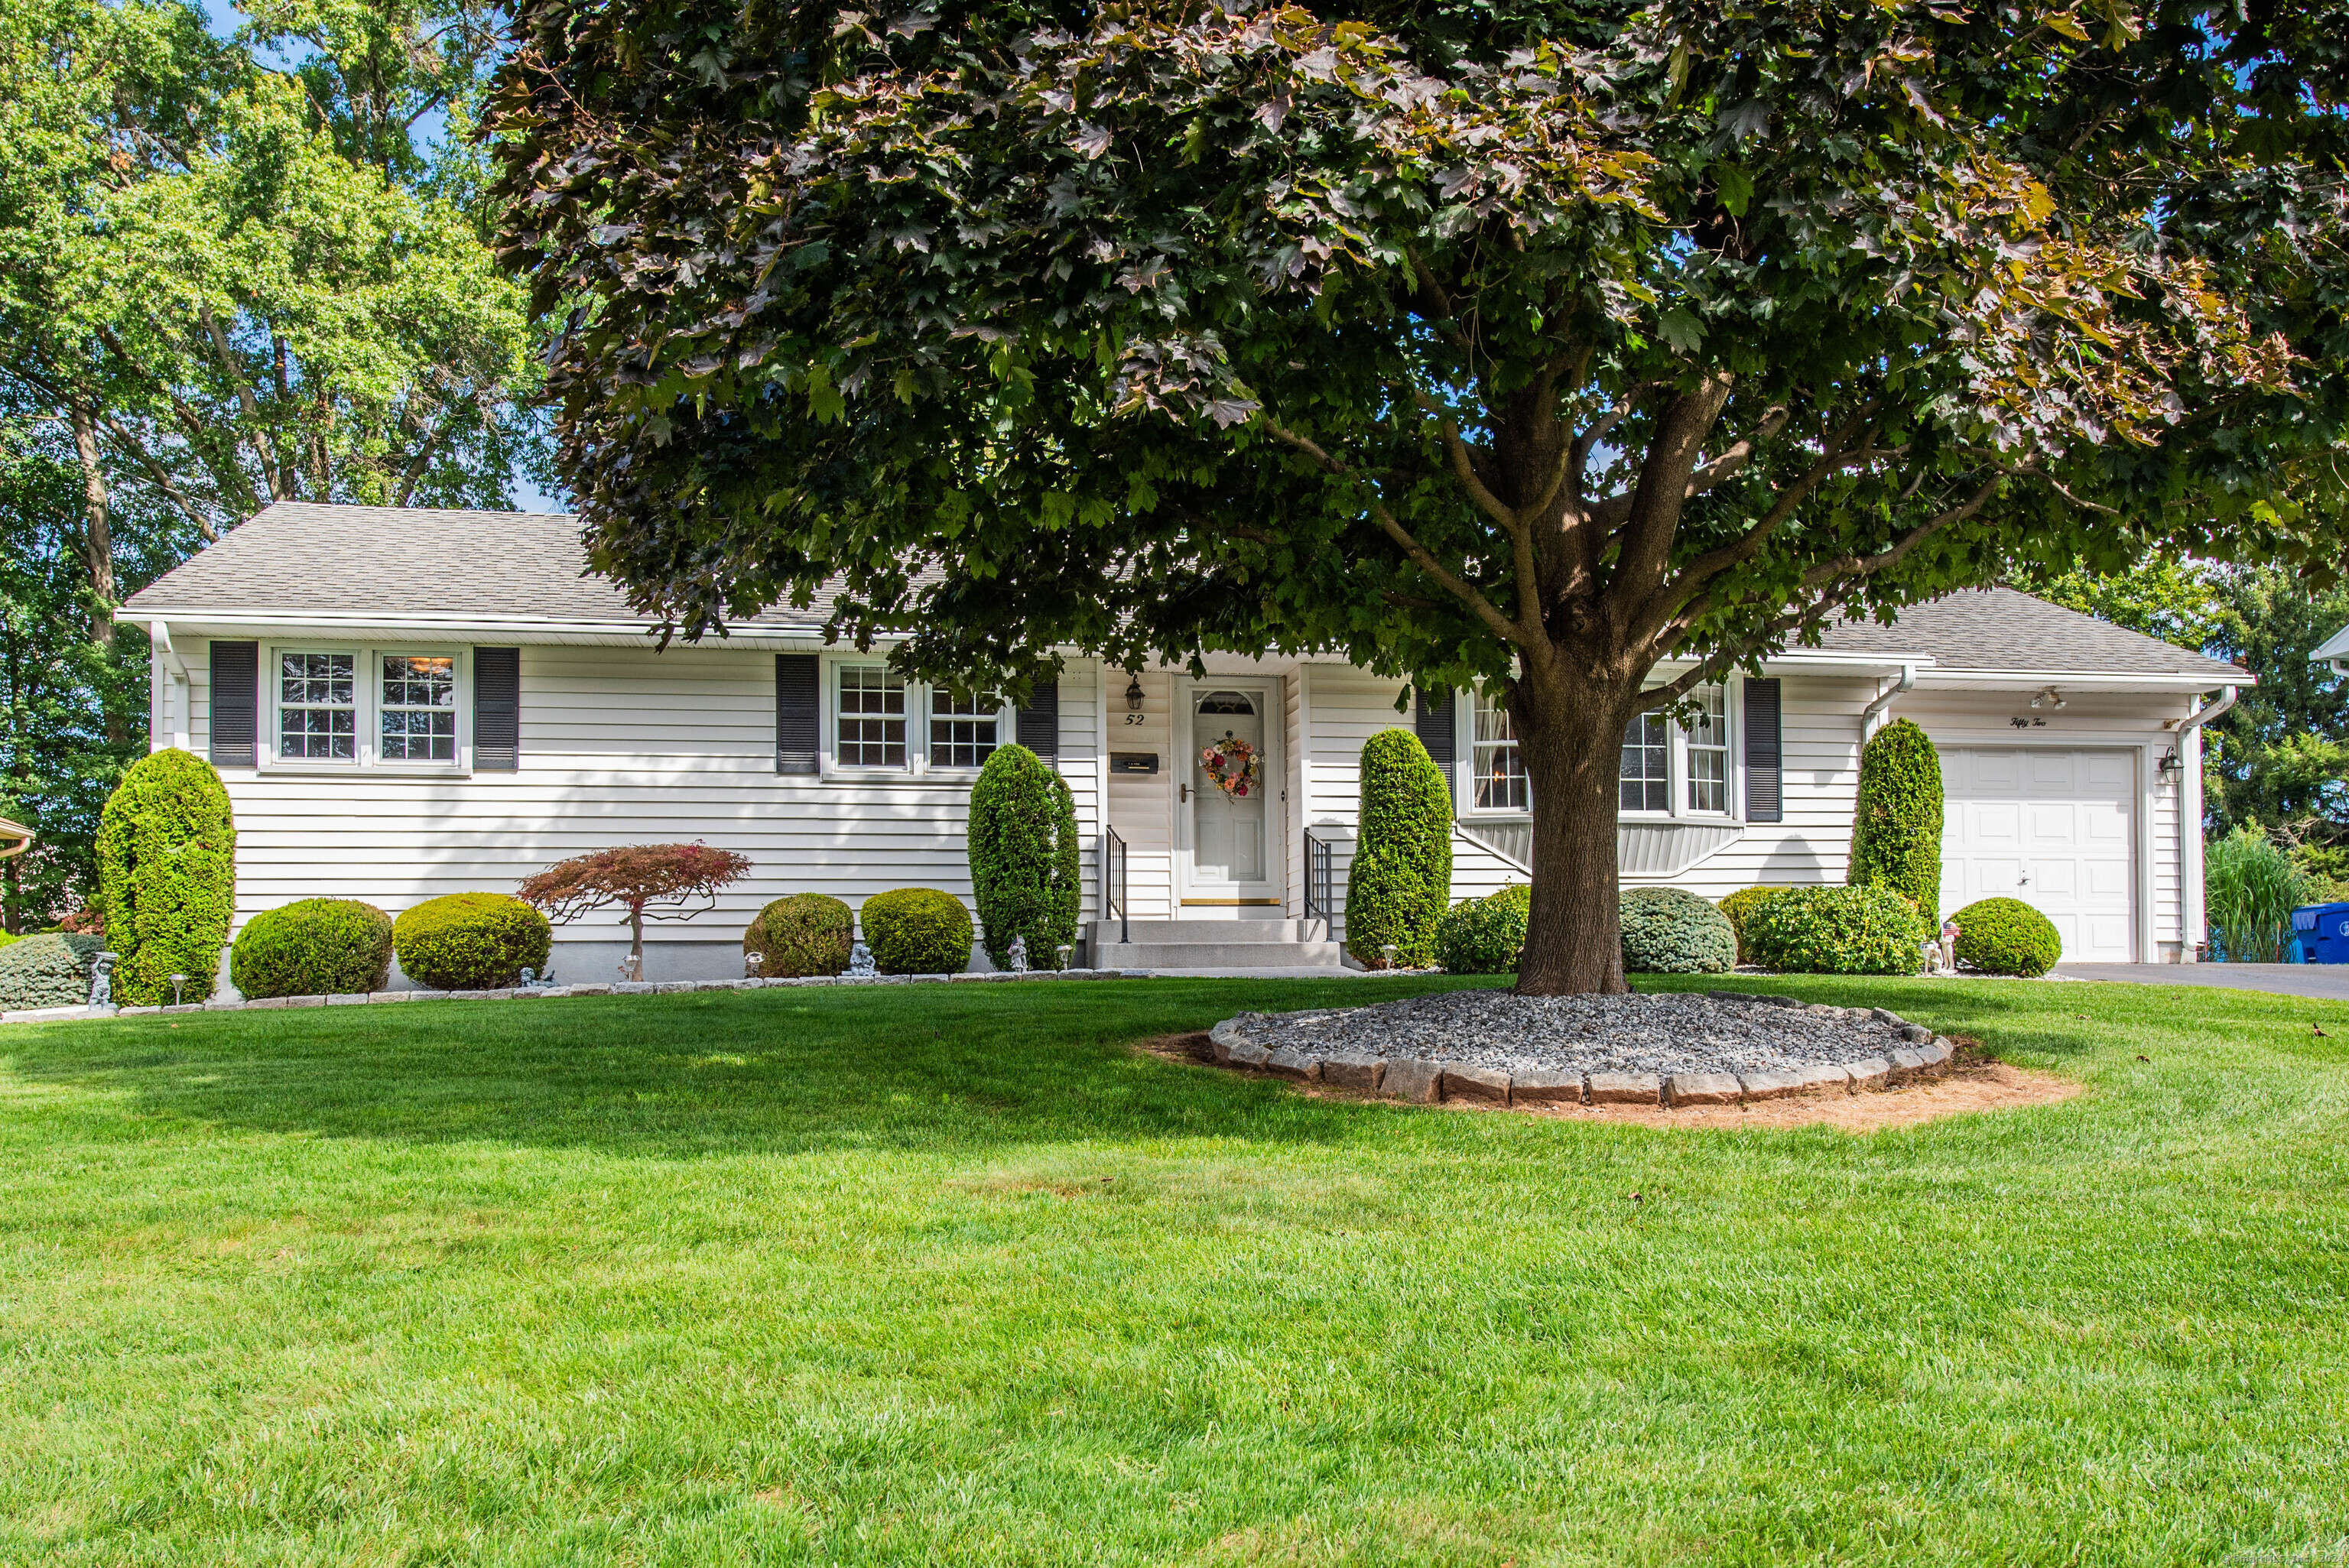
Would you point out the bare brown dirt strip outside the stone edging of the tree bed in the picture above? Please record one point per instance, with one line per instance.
(1972, 1083)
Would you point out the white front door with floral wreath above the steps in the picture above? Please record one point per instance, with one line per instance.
(1225, 792)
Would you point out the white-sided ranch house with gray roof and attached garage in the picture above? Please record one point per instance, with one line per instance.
(410, 703)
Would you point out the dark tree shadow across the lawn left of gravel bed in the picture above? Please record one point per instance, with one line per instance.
(781, 1072)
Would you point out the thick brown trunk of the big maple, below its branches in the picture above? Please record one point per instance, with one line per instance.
(1573, 748)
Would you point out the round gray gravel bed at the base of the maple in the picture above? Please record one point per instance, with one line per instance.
(1591, 1034)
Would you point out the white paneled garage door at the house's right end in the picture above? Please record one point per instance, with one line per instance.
(2050, 827)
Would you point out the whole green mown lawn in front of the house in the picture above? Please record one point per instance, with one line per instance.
(922, 1276)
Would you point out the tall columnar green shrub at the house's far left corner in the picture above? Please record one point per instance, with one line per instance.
(168, 877)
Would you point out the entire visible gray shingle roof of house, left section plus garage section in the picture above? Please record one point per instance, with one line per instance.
(525, 569)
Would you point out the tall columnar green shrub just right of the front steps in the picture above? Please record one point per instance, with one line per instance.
(1401, 877)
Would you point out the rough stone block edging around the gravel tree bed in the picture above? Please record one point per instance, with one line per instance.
(1427, 1083)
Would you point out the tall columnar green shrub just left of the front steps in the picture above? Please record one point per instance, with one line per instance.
(1025, 870)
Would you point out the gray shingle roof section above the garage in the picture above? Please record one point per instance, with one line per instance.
(2014, 633)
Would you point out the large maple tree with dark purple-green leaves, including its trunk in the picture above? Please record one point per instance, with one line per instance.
(1580, 351)
